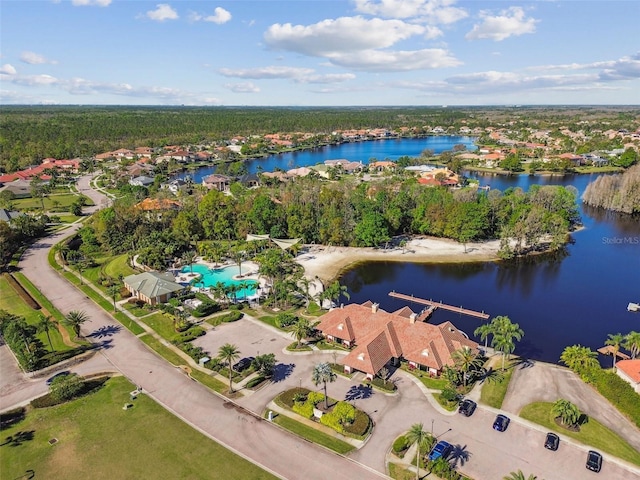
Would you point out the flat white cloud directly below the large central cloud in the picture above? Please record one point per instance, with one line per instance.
(396, 61)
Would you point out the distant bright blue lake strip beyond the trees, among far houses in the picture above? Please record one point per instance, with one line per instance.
(391, 149)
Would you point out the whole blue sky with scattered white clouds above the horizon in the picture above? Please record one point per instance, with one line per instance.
(313, 53)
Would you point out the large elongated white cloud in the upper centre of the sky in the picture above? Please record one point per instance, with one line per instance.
(344, 34)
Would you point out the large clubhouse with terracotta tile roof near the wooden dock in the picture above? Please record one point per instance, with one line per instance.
(379, 338)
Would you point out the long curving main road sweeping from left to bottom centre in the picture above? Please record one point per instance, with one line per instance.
(256, 439)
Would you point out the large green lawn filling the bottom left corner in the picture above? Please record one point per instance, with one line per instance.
(97, 439)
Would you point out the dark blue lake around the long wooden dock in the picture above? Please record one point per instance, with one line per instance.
(560, 300)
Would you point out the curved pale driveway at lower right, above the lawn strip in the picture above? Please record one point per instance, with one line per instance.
(544, 382)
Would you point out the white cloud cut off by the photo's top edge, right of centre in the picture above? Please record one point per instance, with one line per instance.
(430, 11)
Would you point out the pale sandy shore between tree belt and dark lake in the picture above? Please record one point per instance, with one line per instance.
(327, 262)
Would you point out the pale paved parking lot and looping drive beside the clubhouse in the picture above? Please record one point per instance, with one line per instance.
(480, 451)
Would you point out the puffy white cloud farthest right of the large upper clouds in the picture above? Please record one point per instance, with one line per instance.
(510, 22)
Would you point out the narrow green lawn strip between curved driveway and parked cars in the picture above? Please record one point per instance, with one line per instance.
(592, 433)
